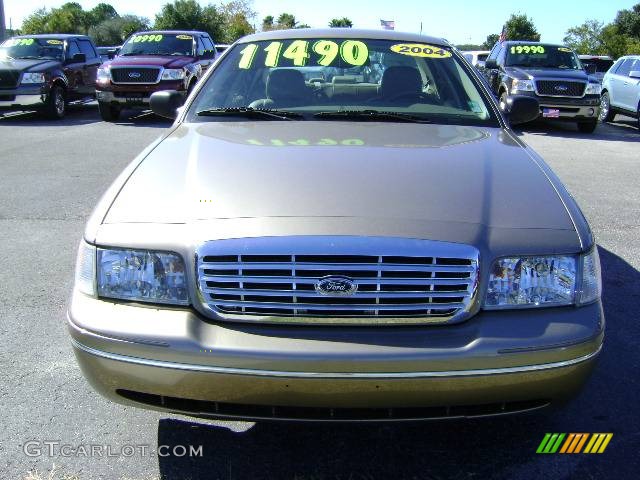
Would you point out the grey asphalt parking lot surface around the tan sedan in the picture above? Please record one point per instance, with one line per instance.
(52, 174)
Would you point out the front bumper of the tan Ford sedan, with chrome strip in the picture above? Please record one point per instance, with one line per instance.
(174, 360)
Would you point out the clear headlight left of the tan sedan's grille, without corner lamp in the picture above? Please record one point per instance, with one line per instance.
(141, 275)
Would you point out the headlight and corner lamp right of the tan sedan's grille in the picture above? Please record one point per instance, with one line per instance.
(542, 281)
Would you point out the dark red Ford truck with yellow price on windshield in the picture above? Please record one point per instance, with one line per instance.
(149, 62)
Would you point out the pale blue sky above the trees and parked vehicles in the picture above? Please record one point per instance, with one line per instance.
(457, 20)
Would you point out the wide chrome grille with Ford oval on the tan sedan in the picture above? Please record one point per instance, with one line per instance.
(418, 281)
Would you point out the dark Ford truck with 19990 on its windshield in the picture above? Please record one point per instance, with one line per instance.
(552, 74)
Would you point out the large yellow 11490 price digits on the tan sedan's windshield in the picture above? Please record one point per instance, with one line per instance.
(301, 52)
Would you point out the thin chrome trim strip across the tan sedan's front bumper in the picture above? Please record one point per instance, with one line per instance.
(352, 375)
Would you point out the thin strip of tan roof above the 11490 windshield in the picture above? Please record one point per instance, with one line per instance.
(344, 33)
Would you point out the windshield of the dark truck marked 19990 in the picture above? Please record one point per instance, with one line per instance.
(542, 56)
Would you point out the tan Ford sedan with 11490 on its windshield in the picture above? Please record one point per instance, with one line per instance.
(338, 250)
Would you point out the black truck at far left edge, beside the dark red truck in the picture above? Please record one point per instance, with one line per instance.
(45, 72)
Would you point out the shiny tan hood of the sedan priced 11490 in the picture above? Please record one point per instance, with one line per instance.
(453, 183)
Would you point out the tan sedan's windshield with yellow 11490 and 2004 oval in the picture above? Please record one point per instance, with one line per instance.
(340, 79)
